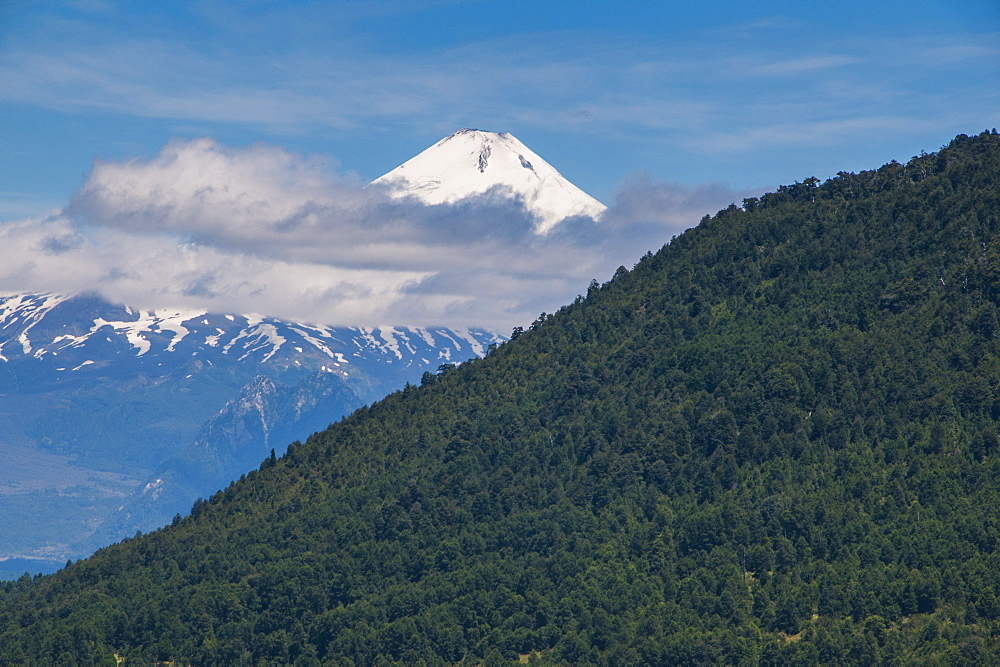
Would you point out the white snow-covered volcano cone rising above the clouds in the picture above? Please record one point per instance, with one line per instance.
(470, 162)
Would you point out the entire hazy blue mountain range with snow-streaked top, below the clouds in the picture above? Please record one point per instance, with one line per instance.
(115, 419)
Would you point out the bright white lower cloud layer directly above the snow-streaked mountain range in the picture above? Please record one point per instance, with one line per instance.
(151, 270)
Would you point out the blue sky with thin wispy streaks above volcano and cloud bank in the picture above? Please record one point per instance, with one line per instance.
(717, 97)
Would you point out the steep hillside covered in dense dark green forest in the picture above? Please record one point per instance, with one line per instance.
(773, 441)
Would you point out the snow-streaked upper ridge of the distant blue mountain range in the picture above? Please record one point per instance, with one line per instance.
(85, 332)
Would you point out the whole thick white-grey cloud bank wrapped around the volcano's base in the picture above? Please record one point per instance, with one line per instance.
(262, 230)
